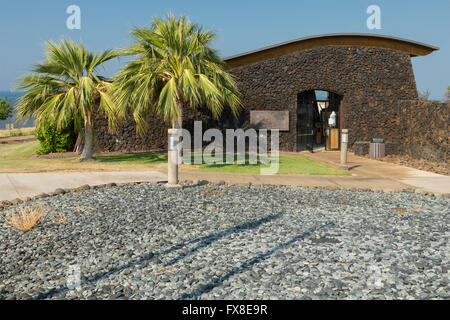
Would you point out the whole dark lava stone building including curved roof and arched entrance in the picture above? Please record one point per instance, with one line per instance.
(367, 81)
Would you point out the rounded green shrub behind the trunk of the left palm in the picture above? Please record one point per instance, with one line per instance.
(53, 140)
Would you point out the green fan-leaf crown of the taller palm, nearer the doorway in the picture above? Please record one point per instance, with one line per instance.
(175, 67)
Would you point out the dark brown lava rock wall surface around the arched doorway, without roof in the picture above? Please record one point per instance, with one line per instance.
(379, 99)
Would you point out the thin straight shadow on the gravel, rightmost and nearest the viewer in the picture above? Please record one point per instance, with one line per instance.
(215, 283)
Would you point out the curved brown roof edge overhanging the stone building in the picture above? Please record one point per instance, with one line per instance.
(413, 48)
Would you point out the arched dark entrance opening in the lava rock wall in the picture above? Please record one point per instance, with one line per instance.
(314, 109)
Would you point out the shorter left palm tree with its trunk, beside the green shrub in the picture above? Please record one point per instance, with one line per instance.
(66, 87)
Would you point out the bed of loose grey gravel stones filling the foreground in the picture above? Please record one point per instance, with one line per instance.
(222, 242)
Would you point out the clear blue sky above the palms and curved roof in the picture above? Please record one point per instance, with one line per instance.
(241, 26)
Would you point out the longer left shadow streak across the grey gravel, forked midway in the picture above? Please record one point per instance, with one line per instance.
(202, 242)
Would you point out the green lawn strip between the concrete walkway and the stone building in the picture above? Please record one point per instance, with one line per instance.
(18, 158)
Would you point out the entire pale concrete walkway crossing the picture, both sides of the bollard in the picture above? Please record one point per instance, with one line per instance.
(366, 174)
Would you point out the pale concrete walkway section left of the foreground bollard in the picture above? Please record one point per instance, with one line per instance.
(23, 185)
